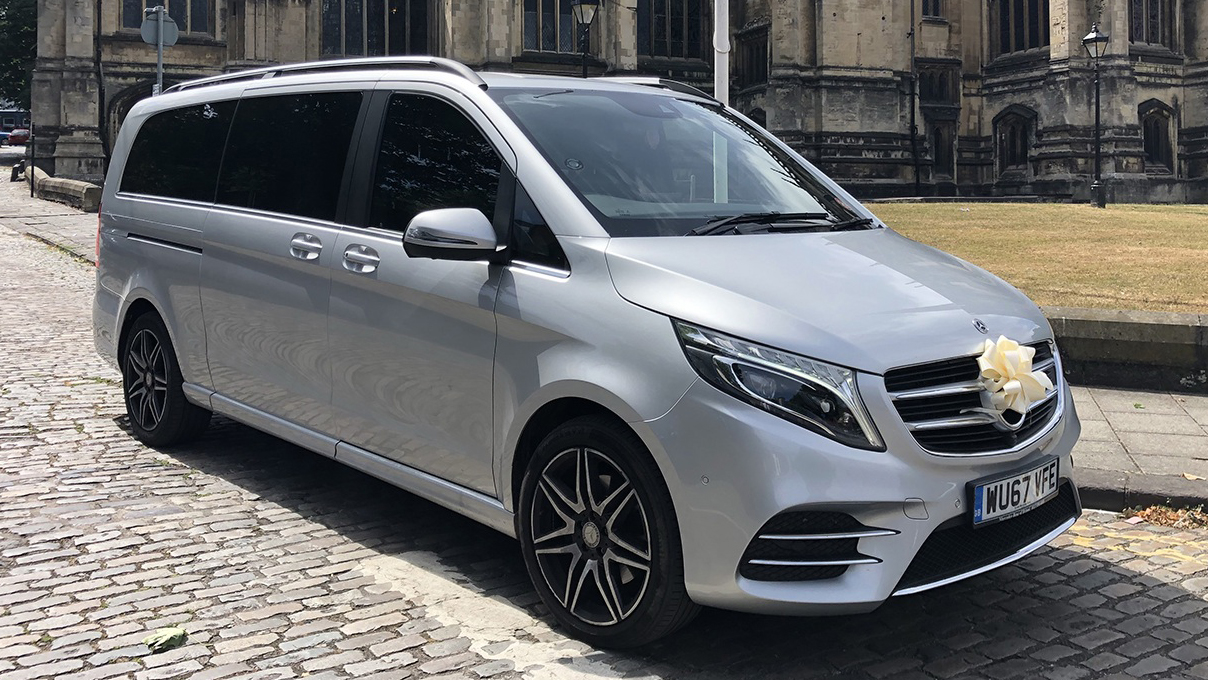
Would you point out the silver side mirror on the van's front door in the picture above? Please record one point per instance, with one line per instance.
(451, 234)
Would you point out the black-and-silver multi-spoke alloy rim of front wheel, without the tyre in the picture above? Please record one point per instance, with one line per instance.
(591, 537)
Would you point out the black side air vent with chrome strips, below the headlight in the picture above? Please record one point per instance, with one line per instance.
(792, 548)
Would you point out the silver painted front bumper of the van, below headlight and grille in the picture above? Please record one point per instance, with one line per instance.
(733, 469)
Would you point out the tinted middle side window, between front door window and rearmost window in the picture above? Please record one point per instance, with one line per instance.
(287, 154)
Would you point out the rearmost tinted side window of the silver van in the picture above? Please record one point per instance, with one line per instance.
(177, 154)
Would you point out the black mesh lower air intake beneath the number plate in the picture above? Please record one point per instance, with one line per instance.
(959, 550)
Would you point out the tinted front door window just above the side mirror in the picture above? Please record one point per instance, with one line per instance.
(432, 156)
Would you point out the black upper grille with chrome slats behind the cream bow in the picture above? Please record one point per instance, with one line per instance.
(946, 379)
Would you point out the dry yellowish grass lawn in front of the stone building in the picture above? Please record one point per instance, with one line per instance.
(1124, 258)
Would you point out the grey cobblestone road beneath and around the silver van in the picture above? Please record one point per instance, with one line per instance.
(281, 563)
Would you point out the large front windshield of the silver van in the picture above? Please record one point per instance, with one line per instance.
(651, 165)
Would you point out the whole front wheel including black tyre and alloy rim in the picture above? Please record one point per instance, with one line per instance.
(600, 537)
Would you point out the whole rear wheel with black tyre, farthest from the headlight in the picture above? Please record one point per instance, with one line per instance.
(152, 386)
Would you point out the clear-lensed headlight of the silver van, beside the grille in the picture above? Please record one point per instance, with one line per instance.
(820, 397)
